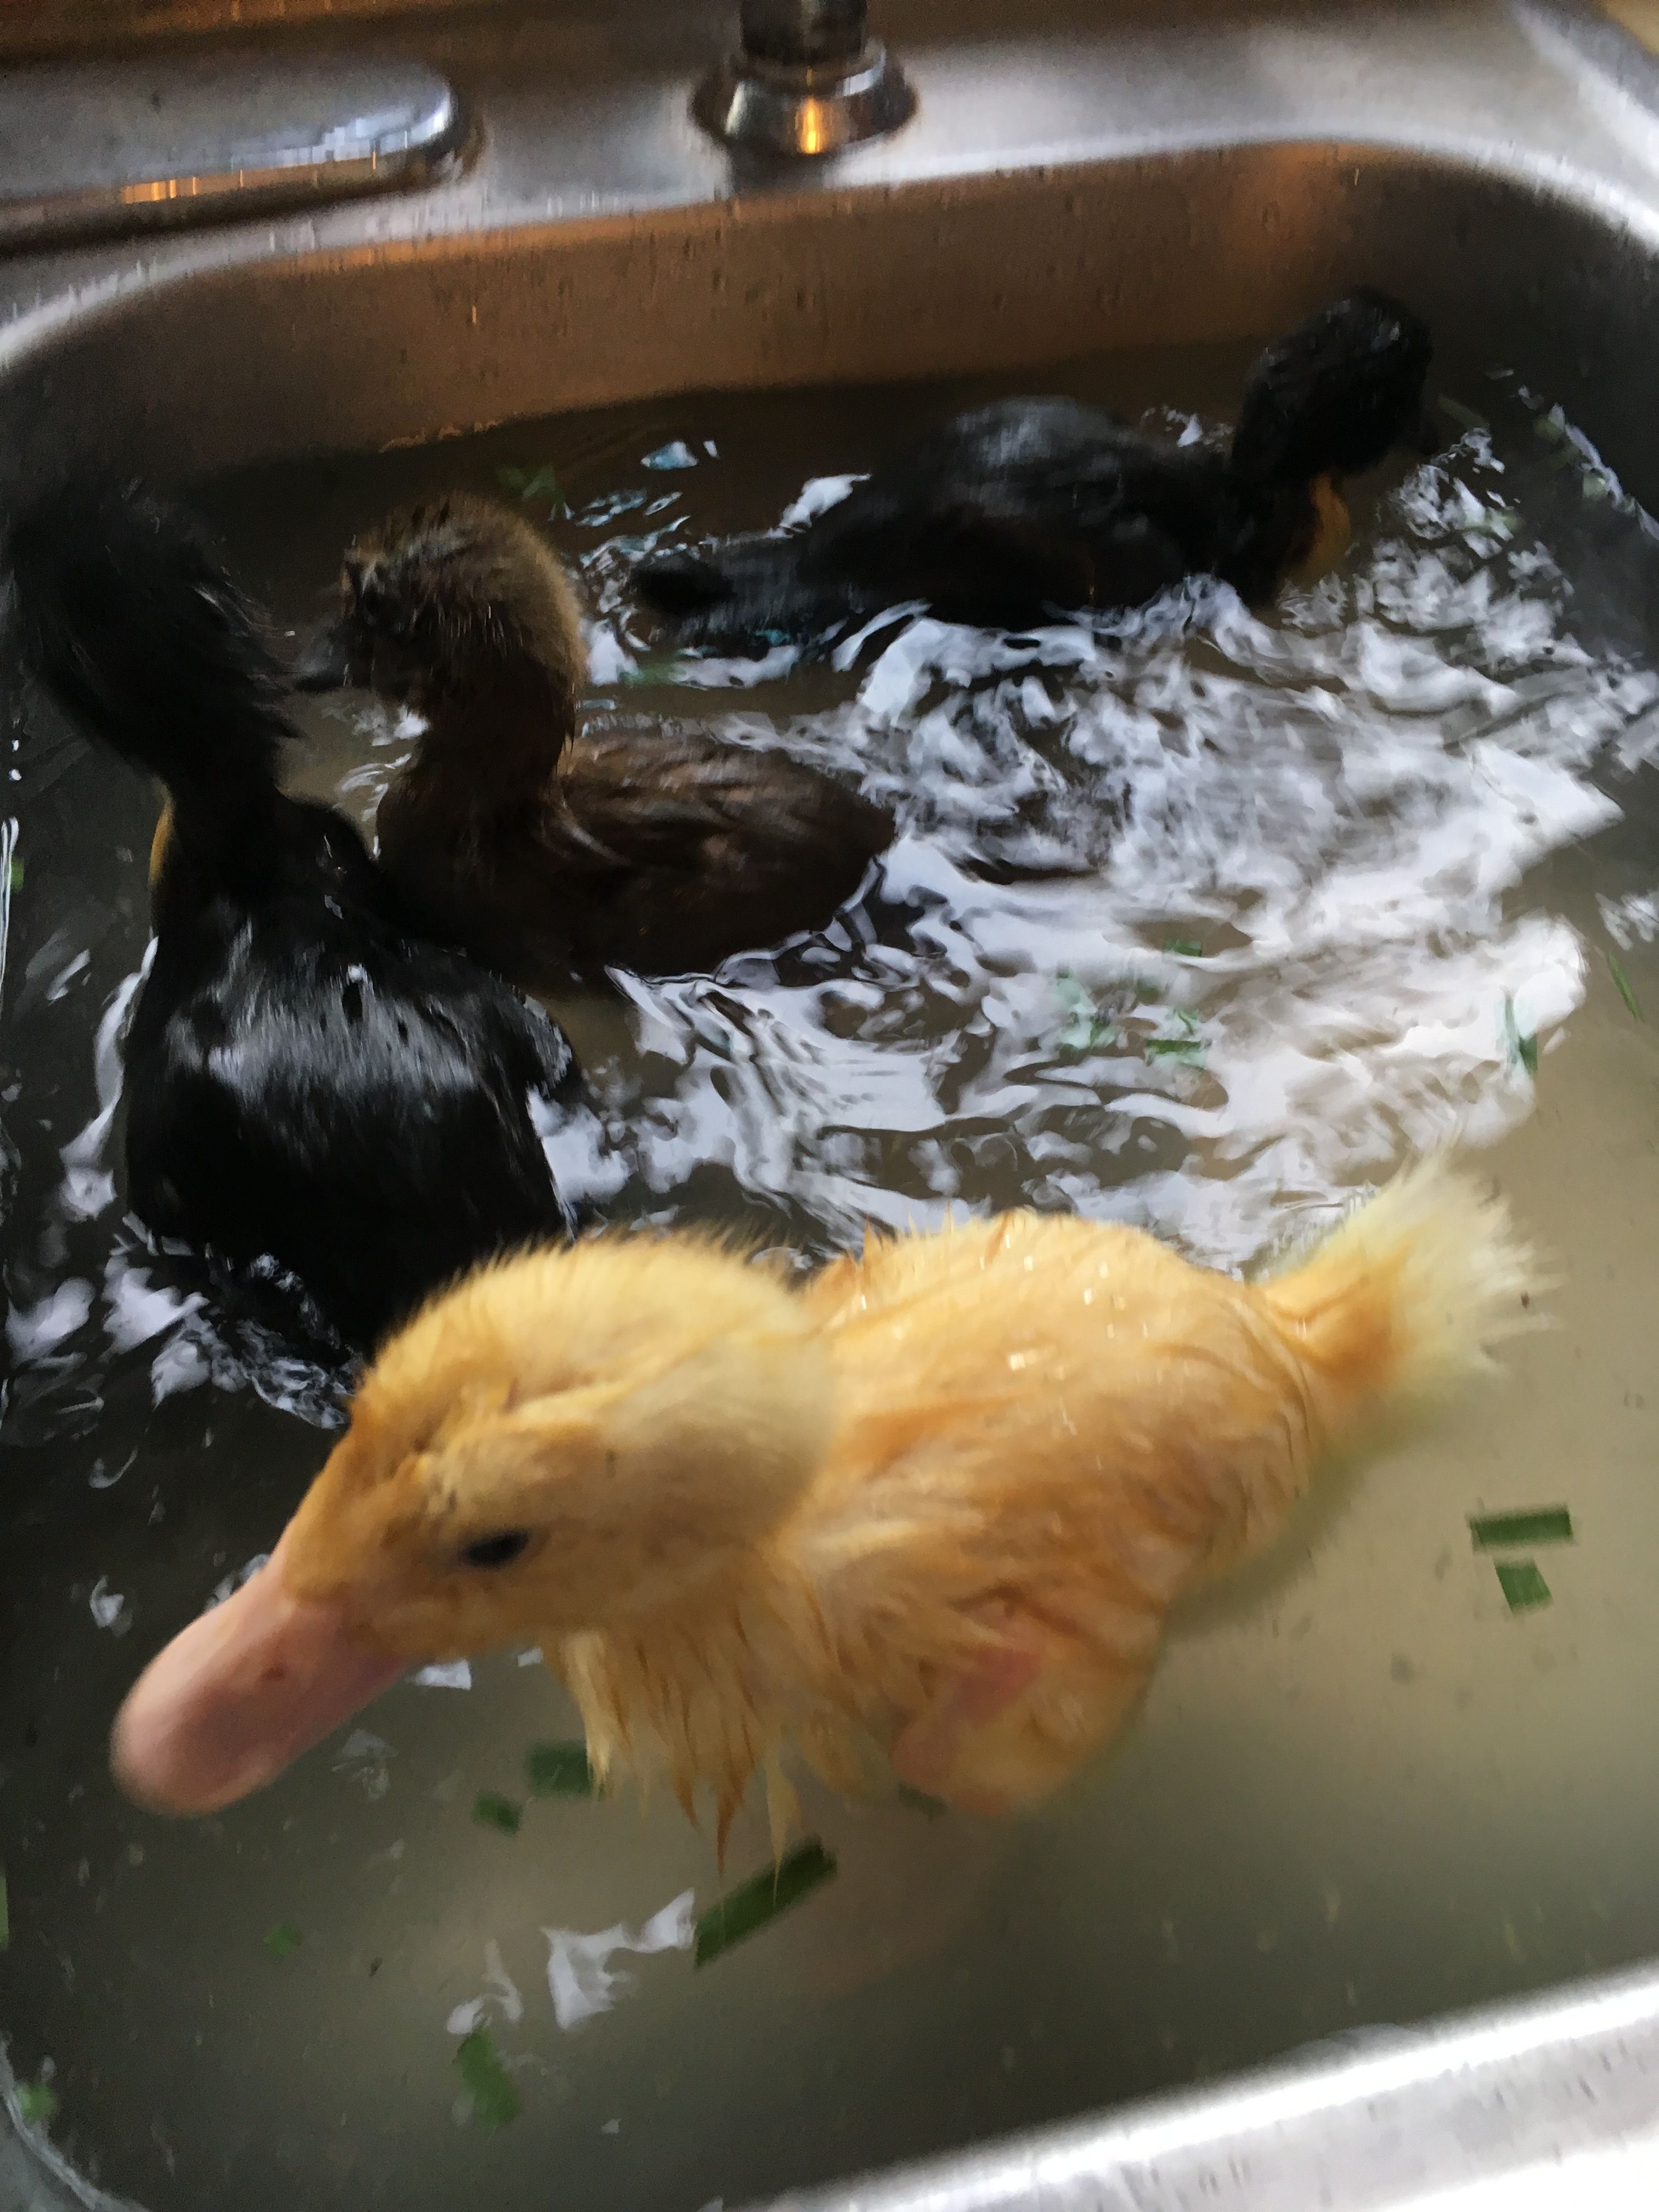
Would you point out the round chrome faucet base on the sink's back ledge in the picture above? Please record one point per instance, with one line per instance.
(806, 81)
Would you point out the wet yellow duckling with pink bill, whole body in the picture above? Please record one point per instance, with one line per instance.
(932, 1510)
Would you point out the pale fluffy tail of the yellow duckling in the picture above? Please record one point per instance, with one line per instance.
(1406, 1300)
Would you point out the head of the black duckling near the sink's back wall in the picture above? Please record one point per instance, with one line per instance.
(1335, 395)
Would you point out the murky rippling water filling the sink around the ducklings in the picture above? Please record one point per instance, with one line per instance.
(1342, 864)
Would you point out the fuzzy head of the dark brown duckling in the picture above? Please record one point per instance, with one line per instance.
(450, 601)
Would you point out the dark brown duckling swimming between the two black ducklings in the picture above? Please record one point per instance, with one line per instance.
(541, 851)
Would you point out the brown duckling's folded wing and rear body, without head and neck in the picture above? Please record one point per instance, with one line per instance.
(689, 851)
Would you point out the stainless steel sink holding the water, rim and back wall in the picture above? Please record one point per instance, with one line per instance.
(1074, 180)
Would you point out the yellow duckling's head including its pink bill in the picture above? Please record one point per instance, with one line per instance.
(565, 1441)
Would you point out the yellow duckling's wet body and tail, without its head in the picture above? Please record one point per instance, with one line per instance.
(1047, 1432)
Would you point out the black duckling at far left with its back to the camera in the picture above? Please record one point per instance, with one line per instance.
(304, 1076)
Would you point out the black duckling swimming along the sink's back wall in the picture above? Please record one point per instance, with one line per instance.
(1034, 508)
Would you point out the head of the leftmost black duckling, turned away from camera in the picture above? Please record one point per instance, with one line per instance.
(129, 618)
